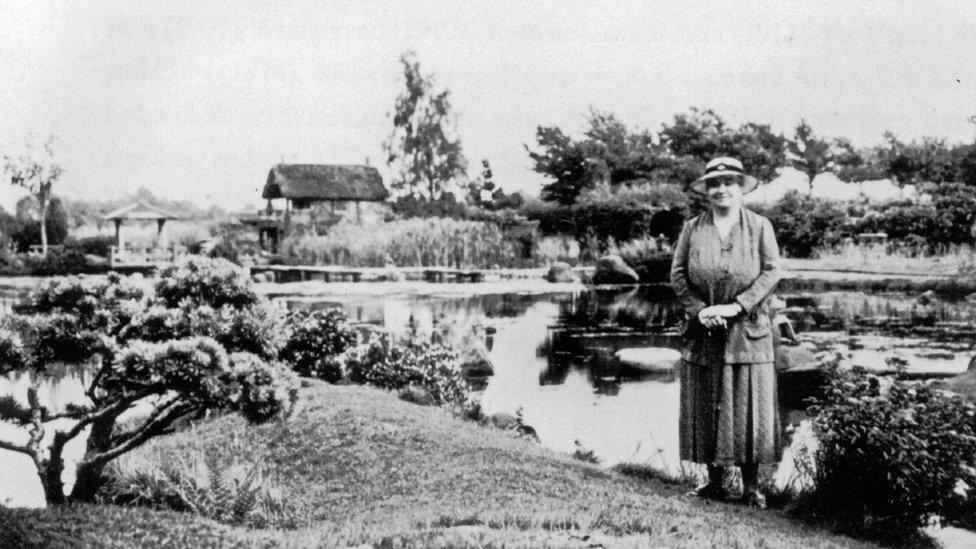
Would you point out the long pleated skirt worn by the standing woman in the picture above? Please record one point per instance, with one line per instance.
(729, 413)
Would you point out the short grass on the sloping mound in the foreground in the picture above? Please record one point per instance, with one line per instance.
(356, 465)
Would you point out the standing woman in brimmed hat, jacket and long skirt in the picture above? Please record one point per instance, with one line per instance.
(723, 271)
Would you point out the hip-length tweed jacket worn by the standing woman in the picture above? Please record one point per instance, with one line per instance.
(707, 270)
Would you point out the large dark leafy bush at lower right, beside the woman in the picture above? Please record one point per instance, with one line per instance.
(890, 461)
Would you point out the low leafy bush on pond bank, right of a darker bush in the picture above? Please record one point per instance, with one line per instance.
(385, 362)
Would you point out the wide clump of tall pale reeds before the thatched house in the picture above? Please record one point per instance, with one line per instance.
(415, 242)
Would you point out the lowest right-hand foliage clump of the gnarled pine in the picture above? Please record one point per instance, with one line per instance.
(268, 390)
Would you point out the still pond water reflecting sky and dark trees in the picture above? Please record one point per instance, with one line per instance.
(549, 355)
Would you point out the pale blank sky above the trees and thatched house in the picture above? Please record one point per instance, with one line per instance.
(197, 100)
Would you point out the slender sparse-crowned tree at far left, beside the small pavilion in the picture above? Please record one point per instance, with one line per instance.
(36, 171)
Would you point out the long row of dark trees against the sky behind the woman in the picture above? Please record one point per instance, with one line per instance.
(611, 152)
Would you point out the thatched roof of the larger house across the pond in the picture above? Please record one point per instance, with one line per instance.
(311, 182)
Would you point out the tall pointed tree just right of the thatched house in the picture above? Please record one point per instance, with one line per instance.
(424, 150)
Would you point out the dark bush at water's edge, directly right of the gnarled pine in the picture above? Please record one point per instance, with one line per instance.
(314, 339)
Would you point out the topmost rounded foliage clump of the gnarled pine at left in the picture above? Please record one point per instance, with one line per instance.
(205, 281)
